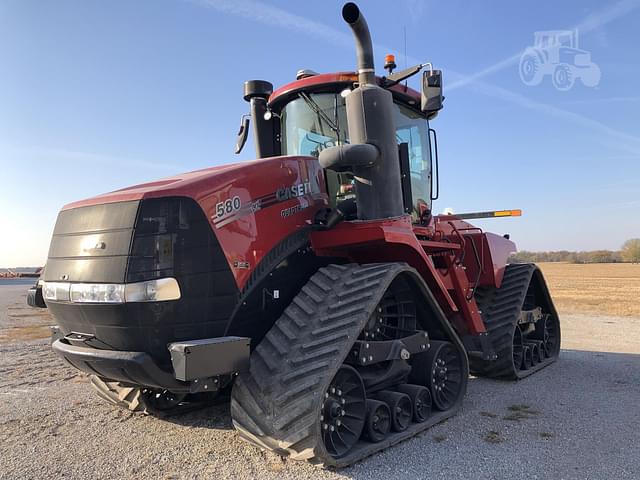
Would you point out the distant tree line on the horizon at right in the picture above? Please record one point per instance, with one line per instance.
(630, 252)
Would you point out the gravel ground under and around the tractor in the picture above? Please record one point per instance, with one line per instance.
(576, 419)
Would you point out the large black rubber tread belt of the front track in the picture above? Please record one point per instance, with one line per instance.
(276, 404)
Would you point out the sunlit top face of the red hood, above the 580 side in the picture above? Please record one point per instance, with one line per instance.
(196, 185)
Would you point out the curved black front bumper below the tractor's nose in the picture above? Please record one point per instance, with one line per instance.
(135, 368)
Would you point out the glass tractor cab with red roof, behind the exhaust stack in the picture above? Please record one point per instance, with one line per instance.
(309, 115)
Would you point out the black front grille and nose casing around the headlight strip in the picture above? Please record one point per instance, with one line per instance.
(170, 237)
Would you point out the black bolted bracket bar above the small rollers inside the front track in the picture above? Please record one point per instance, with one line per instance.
(366, 352)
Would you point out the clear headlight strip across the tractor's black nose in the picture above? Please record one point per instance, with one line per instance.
(150, 291)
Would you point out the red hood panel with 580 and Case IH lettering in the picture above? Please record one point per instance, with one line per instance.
(268, 210)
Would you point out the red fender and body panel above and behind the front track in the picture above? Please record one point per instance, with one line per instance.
(452, 279)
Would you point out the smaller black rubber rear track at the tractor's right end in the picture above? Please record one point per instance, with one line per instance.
(500, 311)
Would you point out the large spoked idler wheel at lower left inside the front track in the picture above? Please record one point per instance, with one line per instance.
(343, 411)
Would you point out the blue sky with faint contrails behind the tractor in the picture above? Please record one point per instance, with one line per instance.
(98, 95)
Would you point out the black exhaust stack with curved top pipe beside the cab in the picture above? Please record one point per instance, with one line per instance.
(372, 155)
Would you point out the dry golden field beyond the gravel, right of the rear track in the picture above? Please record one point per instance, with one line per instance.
(599, 288)
